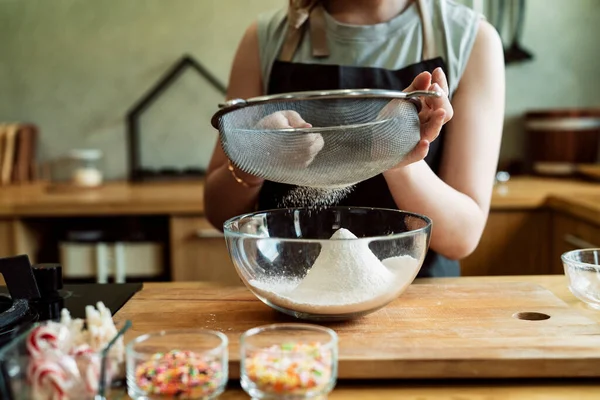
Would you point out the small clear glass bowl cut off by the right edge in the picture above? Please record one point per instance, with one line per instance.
(582, 268)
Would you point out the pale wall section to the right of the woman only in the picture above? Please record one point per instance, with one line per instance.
(564, 36)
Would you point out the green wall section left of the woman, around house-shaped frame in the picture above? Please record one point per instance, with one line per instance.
(74, 67)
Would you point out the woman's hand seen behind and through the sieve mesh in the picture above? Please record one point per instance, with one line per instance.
(288, 147)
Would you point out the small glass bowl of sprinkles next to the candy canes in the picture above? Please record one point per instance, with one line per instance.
(177, 364)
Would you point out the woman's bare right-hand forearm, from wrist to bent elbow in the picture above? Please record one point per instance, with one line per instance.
(458, 220)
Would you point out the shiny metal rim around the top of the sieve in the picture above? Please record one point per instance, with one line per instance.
(236, 104)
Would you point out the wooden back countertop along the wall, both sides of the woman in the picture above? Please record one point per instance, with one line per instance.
(177, 198)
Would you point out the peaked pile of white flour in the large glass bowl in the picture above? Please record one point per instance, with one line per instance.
(345, 278)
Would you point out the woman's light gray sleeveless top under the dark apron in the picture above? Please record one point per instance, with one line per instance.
(391, 45)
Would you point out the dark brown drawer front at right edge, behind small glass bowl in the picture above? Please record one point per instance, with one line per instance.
(570, 233)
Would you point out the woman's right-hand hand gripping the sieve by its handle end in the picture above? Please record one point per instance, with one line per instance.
(435, 112)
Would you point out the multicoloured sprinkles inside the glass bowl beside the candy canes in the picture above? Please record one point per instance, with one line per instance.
(181, 374)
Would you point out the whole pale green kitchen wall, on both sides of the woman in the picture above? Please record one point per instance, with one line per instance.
(74, 67)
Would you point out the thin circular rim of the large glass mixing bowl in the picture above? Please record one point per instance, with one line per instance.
(414, 232)
